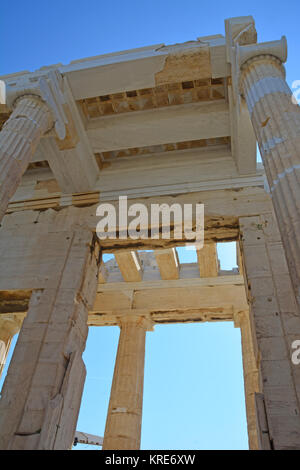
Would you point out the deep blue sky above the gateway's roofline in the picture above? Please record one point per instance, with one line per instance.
(36, 33)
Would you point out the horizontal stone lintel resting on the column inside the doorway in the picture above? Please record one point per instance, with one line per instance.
(191, 299)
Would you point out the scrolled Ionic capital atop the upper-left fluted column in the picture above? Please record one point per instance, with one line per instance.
(46, 89)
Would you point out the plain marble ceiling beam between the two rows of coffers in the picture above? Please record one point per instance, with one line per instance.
(178, 123)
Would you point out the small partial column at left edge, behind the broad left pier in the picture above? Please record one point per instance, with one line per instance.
(9, 326)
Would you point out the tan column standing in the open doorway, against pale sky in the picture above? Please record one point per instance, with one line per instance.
(124, 418)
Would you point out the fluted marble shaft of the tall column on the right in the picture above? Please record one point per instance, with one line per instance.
(276, 121)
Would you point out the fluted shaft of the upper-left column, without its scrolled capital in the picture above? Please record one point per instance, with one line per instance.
(19, 137)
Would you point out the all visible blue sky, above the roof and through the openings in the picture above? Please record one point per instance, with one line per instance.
(193, 394)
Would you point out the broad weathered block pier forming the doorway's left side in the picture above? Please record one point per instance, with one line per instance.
(41, 395)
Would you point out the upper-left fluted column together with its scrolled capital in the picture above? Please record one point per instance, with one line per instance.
(38, 106)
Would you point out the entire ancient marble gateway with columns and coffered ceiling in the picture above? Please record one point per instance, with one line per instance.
(160, 125)
